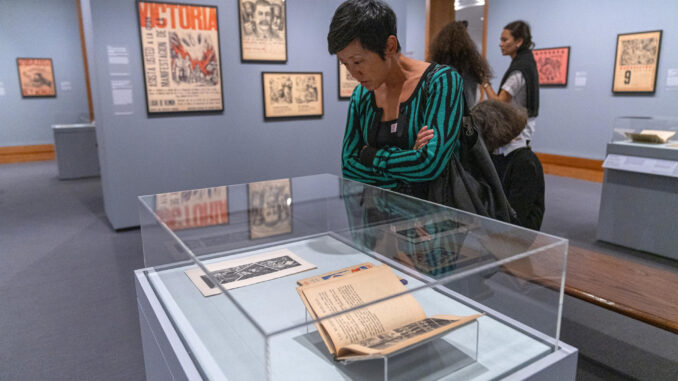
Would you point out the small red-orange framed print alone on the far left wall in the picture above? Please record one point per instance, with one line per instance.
(36, 77)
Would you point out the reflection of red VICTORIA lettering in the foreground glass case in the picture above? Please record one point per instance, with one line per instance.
(193, 208)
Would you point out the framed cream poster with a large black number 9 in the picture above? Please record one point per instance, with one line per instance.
(636, 61)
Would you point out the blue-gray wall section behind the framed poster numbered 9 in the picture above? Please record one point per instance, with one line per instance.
(578, 121)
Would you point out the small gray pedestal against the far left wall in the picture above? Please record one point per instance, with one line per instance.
(76, 150)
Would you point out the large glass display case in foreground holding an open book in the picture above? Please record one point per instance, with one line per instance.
(319, 277)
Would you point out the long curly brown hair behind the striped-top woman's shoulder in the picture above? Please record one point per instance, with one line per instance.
(453, 47)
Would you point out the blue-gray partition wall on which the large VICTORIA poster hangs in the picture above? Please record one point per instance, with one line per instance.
(141, 155)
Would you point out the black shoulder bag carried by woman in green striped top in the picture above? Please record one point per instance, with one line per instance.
(469, 181)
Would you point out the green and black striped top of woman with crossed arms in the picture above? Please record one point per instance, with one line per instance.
(437, 102)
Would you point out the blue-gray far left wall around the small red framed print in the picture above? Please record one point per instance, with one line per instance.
(42, 29)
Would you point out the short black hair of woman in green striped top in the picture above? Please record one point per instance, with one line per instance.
(370, 21)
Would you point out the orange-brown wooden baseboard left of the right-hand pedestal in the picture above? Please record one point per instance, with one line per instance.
(575, 167)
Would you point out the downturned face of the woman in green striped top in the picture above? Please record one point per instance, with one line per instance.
(365, 66)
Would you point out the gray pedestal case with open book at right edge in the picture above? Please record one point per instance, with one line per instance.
(640, 187)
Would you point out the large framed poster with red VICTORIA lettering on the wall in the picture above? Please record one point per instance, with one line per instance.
(181, 56)
